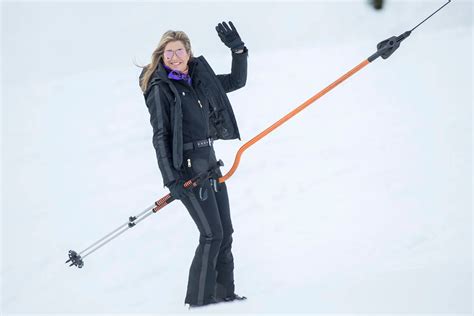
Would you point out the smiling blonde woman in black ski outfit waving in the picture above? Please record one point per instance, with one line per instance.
(189, 109)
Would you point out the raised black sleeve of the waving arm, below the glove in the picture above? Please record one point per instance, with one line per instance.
(238, 76)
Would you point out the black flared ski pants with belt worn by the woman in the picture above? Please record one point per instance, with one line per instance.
(212, 270)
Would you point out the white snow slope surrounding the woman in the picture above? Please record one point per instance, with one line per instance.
(359, 204)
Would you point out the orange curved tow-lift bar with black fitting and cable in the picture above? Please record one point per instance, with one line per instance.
(384, 50)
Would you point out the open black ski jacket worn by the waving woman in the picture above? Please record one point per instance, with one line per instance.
(167, 99)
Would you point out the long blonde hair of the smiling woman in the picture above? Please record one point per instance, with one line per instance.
(157, 56)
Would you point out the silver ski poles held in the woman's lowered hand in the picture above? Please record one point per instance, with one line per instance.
(77, 258)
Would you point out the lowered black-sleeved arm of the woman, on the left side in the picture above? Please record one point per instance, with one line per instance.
(159, 108)
